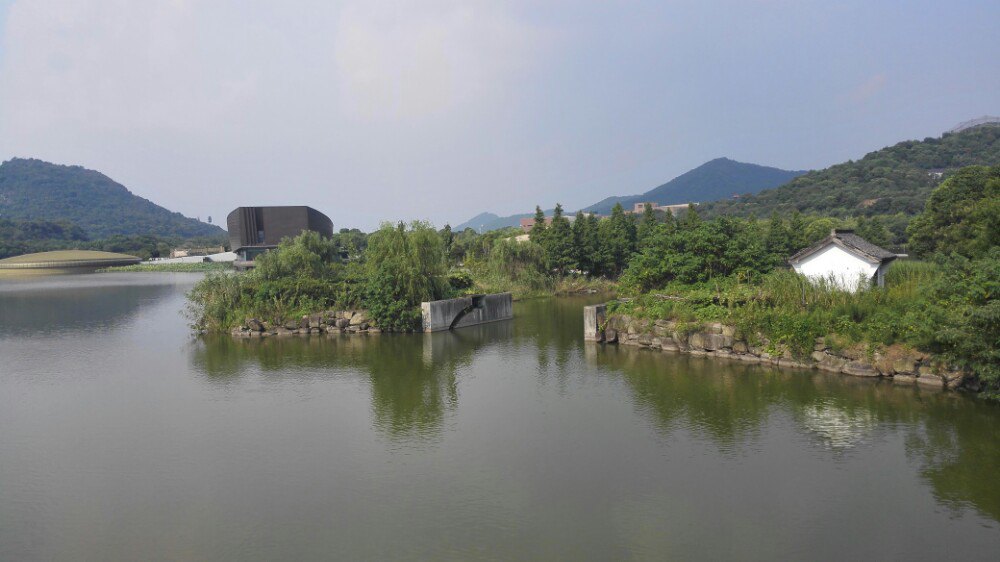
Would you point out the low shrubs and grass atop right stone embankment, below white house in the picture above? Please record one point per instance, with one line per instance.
(947, 308)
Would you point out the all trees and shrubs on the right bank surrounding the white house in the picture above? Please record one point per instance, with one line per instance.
(726, 270)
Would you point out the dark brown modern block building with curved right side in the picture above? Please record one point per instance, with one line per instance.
(255, 230)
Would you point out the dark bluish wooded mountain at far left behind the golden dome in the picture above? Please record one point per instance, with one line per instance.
(33, 190)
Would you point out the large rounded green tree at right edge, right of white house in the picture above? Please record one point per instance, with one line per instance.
(962, 215)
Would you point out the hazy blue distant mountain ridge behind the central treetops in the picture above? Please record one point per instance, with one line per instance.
(713, 180)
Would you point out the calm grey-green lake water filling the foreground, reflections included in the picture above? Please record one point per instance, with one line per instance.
(124, 437)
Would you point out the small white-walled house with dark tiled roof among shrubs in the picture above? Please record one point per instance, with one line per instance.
(845, 260)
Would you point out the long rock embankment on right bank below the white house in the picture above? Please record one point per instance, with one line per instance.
(902, 365)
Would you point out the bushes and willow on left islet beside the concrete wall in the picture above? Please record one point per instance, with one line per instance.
(401, 267)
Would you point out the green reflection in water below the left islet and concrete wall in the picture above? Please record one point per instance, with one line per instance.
(412, 377)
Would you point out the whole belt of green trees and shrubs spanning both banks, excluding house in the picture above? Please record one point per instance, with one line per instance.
(686, 268)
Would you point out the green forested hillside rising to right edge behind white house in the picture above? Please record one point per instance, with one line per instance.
(895, 179)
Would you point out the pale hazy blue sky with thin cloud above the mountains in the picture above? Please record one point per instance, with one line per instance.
(438, 110)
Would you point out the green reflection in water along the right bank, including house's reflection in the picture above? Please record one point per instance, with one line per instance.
(953, 437)
